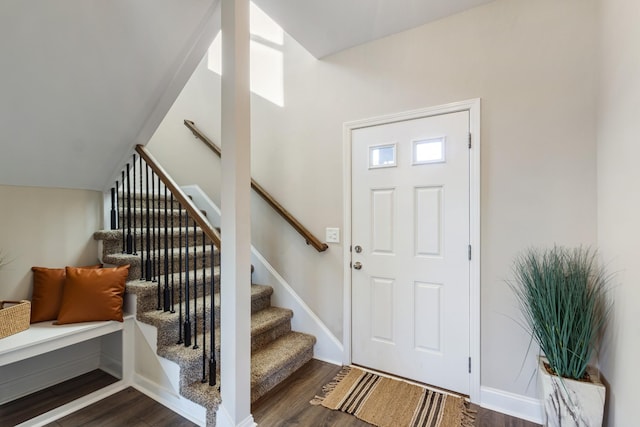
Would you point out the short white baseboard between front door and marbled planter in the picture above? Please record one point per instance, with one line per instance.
(511, 404)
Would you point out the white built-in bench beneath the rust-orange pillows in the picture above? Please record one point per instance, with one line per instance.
(44, 337)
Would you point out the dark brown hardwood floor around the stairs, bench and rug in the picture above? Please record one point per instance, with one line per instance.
(286, 405)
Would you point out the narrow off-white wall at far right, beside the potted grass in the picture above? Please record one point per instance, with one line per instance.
(619, 200)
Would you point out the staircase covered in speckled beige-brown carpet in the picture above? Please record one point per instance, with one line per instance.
(276, 350)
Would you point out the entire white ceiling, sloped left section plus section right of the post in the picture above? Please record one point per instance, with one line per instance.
(83, 81)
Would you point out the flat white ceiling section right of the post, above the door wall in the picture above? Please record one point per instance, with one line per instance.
(329, 26)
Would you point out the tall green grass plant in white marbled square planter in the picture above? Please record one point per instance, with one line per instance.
(563, 294)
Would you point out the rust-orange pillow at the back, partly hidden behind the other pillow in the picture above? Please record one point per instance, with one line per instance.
(48, 284)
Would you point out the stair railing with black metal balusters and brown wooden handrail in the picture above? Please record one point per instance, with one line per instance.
(150, 191)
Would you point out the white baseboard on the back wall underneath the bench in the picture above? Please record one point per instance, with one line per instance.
(39, 372)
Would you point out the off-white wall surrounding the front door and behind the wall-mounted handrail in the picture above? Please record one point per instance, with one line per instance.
(532, 63)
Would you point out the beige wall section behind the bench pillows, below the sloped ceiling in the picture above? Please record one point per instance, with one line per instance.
(46, 227)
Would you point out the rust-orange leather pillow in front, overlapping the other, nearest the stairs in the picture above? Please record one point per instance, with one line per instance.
(90, 295)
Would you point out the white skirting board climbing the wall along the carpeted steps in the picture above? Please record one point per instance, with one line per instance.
(328, 348)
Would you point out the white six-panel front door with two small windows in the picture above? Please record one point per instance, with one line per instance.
(410, 249)
